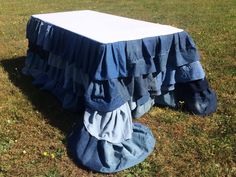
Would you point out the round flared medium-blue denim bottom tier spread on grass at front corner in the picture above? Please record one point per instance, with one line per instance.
(105, 157)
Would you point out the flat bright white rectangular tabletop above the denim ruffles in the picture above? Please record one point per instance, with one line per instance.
(105, 28)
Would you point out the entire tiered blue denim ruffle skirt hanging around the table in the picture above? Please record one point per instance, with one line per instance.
(114, 83)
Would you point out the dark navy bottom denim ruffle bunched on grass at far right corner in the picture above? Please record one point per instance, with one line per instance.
(196, 97)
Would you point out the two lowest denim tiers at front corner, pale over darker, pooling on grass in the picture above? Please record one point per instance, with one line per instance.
(105, 149)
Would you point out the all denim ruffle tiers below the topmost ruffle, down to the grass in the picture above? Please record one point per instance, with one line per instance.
(108, 141)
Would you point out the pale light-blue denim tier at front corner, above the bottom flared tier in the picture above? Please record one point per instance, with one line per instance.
(114, 127)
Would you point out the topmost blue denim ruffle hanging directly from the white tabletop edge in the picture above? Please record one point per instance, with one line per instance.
(113, 60)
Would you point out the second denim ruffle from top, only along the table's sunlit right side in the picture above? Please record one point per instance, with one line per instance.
(117, 91)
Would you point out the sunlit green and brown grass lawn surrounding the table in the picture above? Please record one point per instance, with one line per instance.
(33, 126)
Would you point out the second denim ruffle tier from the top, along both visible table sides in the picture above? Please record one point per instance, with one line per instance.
(105, 95)
